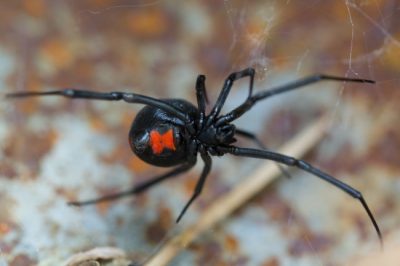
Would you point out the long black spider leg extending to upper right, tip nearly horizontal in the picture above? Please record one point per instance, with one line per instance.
(253, 99)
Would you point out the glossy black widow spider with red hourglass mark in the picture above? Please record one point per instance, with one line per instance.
(170, 132)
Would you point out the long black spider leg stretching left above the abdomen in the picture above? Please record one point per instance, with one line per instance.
(107, 96)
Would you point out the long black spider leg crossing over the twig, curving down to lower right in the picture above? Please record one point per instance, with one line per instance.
(290, 161)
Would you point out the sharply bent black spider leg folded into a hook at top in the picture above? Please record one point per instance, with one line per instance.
(248, 72)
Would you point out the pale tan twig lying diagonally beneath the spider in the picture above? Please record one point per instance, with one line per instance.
(244, 191)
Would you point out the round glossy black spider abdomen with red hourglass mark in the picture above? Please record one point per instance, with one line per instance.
(156, 136)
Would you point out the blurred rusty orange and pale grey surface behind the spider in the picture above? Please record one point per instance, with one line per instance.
(55, 150)
